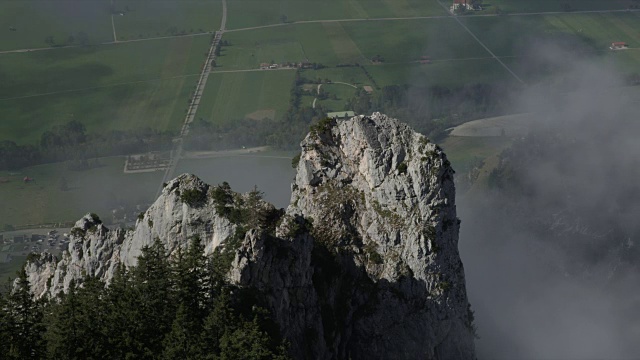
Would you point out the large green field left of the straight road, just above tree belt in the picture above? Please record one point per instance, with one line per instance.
(120, 86)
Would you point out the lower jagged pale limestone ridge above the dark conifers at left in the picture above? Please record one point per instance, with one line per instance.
(96, 250)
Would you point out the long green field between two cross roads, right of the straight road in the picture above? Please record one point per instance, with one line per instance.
(333, 43)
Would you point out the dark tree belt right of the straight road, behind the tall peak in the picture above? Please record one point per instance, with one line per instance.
(429, 110)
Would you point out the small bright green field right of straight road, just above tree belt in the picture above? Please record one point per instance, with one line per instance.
(232, 96)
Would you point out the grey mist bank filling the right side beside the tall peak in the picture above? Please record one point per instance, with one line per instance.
(550, 250)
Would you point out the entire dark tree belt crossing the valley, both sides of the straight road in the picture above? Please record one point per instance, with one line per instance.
(429, 110)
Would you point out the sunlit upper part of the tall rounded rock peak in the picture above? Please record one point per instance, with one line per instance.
(378, 186)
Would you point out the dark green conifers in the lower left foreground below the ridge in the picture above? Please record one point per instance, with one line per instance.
(177, 307)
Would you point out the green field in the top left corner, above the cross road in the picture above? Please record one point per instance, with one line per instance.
(35, 20)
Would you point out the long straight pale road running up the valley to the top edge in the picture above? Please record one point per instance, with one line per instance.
(178, 150)
